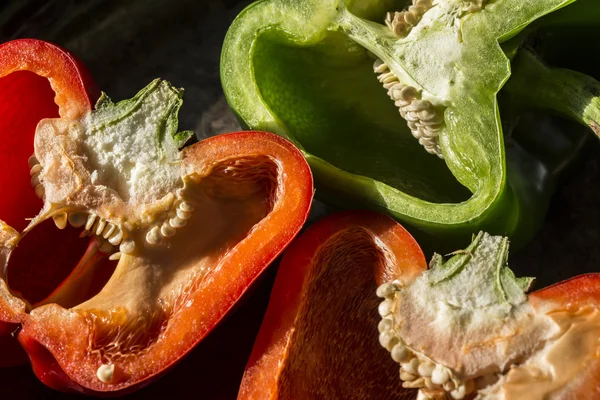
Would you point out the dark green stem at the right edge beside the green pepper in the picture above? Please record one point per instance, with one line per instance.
(569, 93)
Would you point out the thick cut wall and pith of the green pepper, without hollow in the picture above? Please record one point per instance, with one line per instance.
(473, 146)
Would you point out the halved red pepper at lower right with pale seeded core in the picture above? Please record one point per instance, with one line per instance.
(463, 328)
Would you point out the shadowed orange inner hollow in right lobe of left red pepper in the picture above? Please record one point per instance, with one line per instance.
(161, 280)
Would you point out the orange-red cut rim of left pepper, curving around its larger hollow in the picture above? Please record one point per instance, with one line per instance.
(59, 354)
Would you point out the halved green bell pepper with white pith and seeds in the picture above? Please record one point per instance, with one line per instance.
(305, 70)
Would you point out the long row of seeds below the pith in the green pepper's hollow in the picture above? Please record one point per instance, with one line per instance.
(422, 117)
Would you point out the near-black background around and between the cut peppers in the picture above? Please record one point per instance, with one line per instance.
(126, 44)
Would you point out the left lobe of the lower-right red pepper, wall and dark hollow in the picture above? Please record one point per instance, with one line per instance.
(318, 336)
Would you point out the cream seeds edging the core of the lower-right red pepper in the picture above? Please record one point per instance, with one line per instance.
(433, 380)
